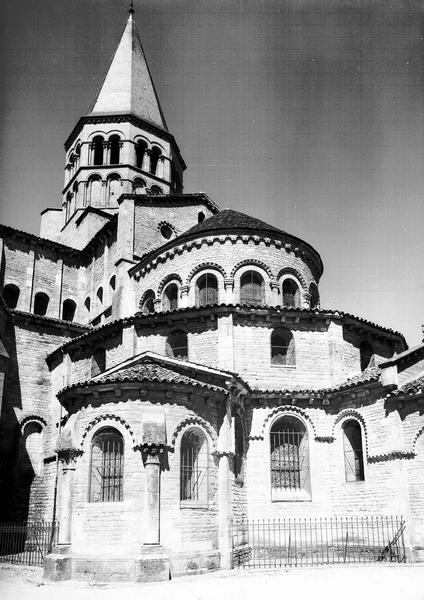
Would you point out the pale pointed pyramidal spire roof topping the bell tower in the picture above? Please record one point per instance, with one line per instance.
(128, 85)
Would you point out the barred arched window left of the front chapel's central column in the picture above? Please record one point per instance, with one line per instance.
(107, 466)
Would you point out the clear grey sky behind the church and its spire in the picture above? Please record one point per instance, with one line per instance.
(308, 114)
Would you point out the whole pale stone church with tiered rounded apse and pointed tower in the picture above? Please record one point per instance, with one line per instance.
(167, 369)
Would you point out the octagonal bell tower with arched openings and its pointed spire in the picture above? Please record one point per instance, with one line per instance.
(123, 145)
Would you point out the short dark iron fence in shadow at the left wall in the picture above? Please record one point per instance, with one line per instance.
(27, 543)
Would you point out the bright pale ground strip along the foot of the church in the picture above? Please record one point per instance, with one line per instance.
(385, 582)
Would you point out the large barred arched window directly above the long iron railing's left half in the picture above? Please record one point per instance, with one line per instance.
(289, 455)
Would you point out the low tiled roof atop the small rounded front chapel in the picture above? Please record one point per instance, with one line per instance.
(145, 371)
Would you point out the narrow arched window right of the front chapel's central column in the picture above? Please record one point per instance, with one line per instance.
(194, 468)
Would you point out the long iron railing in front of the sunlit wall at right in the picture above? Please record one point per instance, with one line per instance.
(319, 541)
